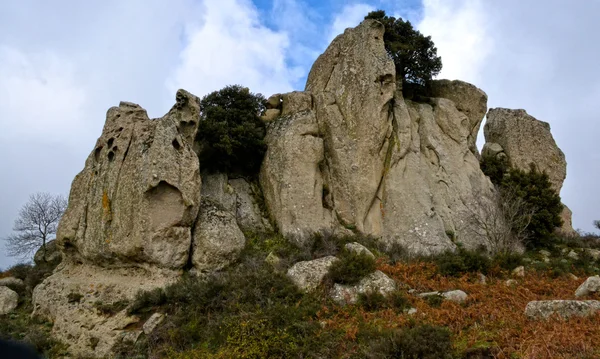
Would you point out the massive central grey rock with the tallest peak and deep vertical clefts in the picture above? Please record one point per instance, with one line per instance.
(350, 152)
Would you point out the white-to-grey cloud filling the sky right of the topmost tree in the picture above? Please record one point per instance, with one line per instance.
(536, 55)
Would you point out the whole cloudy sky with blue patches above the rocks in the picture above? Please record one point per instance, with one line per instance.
(64, 63)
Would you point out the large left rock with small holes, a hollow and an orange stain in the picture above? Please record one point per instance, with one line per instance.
(138, 196)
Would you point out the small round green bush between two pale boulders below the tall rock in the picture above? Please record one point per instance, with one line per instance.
(351, 267)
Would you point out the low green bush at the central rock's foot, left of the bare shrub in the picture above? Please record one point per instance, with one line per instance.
(462, 261)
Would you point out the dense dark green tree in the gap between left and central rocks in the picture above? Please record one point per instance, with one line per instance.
(231, 134)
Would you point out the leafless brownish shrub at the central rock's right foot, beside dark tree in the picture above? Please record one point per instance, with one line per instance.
(502, 220)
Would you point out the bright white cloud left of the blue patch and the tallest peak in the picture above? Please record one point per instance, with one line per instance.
(230, 46)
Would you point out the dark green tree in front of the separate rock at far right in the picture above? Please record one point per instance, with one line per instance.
(535, 188)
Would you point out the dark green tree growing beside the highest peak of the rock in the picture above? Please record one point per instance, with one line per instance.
(414, 55)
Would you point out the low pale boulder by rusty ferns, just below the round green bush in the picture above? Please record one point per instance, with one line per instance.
(374, 282)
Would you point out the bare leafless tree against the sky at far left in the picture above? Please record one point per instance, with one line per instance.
(36, 224)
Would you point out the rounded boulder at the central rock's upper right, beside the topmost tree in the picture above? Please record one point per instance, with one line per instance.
(468, 99)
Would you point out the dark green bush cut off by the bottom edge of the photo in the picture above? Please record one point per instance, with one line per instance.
(419, 342)
